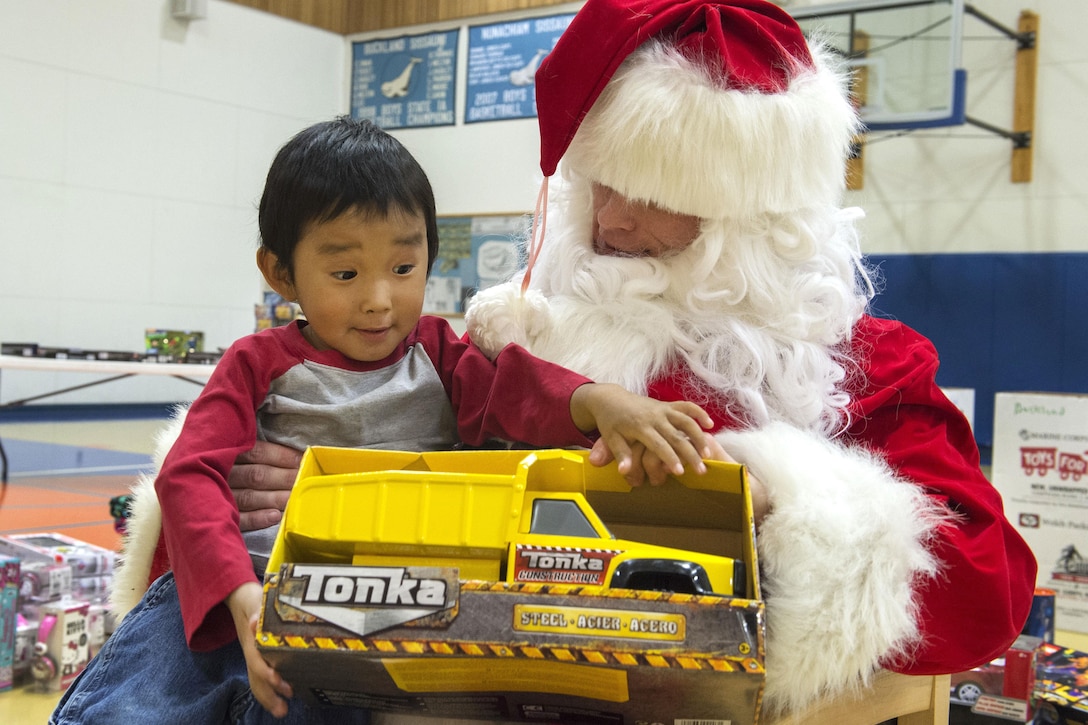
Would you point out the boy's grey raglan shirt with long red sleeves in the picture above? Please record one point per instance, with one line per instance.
(434, 391)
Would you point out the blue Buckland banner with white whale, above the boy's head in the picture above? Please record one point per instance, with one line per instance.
(406, 82)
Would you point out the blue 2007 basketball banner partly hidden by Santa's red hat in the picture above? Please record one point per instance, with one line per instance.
(503, 62)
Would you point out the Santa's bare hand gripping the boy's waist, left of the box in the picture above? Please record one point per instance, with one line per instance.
(262, 481)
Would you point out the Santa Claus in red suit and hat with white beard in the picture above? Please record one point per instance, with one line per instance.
(694, 247)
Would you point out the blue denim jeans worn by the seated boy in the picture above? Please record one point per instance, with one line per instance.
(145, 673)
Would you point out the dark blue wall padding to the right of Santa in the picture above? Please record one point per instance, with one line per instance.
(1000, 322)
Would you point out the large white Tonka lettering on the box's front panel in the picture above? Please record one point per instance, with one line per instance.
(381, 586)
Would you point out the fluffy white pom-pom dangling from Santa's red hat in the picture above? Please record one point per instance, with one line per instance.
(502, 315)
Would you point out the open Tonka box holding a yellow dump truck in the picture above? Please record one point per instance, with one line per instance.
(516, 585)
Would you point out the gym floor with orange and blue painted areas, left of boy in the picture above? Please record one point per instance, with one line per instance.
(63, 476)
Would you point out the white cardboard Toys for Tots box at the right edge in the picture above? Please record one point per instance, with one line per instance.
(1041, 468)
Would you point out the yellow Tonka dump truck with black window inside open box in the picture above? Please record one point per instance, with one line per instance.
(500, 517)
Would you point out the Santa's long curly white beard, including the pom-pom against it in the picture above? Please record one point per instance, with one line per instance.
(758, 312)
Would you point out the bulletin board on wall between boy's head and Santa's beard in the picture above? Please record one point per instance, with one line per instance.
(475, 253)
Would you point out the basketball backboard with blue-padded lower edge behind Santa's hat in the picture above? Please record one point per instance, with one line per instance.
(907, 54)
